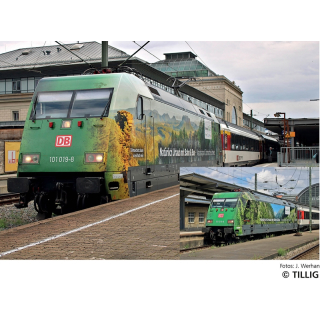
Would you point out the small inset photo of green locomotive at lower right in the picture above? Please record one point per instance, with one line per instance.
(249, 213)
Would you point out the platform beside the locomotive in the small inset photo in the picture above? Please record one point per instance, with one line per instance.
(263, 249)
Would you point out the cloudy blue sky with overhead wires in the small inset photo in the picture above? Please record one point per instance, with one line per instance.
(269, 180)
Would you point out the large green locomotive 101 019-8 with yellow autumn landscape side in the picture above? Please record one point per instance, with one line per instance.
(94, 138)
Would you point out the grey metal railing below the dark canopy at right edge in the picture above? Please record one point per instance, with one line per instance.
(298, 156)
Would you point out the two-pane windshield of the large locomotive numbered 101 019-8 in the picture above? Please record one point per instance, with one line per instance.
(72, 104)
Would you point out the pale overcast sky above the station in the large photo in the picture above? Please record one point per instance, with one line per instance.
(275, 76)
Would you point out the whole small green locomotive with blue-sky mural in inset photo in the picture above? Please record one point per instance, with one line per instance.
(236, 215)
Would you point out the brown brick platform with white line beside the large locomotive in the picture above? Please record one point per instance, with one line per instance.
(142, 227)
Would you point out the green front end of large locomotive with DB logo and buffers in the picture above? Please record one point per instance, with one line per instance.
(64, 148)
